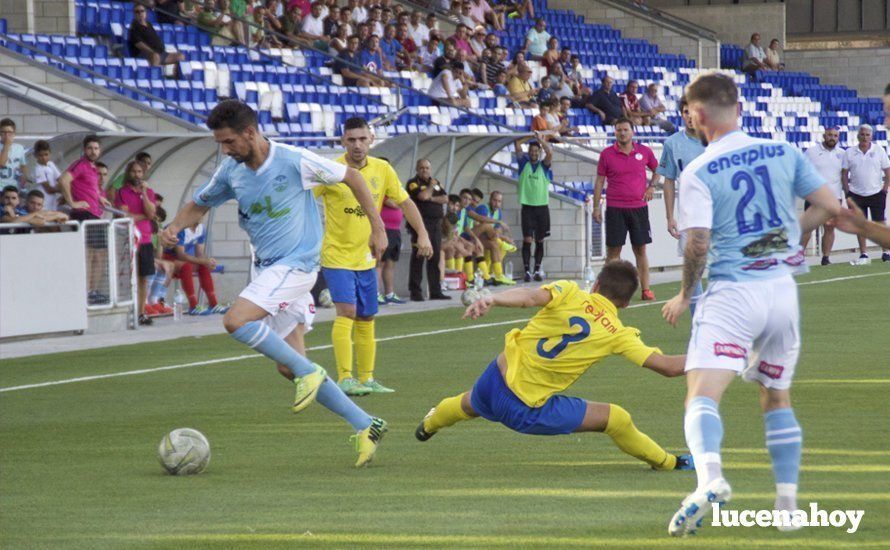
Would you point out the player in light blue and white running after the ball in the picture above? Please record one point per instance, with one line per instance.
(272, 183)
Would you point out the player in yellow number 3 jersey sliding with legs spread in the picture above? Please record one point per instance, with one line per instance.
(573, 331)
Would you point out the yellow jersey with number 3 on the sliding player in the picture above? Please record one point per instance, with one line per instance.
(572, 333)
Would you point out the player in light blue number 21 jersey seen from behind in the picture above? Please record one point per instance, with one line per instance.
(738, 209)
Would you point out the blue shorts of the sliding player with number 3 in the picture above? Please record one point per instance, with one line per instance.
(493, 400)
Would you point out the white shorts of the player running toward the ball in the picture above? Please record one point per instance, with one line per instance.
(284, 292)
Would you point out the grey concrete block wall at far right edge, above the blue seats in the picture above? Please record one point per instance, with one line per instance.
(866, 70)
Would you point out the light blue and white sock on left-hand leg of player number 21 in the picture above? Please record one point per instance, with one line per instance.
(704, 432)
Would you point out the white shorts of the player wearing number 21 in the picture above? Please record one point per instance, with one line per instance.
(750, 327)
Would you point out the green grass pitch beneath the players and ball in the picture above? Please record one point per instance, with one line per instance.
(78, 466)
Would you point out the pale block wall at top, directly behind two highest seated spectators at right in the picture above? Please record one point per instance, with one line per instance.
(735, 23)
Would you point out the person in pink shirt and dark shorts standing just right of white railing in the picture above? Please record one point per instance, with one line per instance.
(137, 199)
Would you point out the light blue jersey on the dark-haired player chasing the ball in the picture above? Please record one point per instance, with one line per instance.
(275, 204)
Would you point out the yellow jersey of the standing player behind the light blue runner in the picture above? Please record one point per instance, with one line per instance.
(347, 230)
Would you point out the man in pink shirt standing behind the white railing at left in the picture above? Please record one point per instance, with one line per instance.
(82, 188)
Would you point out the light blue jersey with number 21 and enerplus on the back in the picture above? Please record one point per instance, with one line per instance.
(743, 189)
